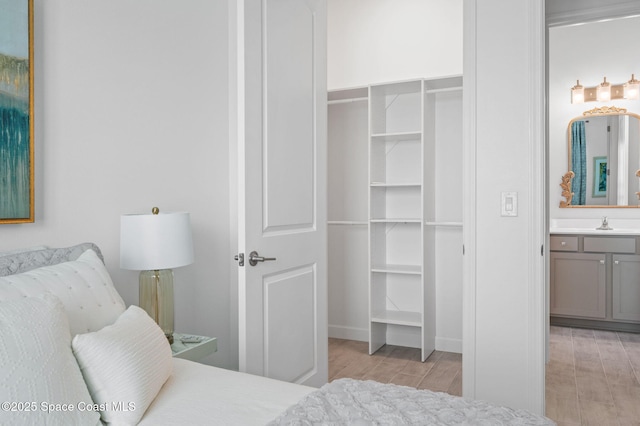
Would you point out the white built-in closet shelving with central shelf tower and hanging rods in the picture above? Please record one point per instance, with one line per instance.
(395, 214)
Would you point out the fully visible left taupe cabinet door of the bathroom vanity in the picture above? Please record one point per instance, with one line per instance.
(578, 285)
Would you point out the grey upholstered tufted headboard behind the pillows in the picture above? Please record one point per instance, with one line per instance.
(18, 262)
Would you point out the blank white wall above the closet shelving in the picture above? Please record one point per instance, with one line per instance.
(378, 41)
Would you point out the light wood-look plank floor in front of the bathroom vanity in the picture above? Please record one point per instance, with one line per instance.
(592, 377)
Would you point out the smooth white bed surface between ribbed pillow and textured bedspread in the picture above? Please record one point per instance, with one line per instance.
(198, 394)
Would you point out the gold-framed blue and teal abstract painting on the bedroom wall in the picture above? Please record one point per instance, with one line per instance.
(16, 111)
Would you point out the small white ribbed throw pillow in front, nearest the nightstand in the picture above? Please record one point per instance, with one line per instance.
(125, 363)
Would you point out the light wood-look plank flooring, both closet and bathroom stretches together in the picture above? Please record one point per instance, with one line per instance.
(592, 376)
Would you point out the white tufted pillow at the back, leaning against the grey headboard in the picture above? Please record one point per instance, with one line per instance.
(83, 285)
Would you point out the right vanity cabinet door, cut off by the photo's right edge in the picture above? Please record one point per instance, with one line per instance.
(626, 287)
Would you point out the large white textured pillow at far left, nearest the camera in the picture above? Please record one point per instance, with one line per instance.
(37, 367)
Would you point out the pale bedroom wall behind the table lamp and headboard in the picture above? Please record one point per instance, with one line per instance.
(131, 112)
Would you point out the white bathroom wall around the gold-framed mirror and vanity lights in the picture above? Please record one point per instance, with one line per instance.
(584, 52)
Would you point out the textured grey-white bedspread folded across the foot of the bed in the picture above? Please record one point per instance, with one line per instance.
(354, 402)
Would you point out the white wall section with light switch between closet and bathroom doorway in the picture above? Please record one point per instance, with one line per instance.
(504, 293)
